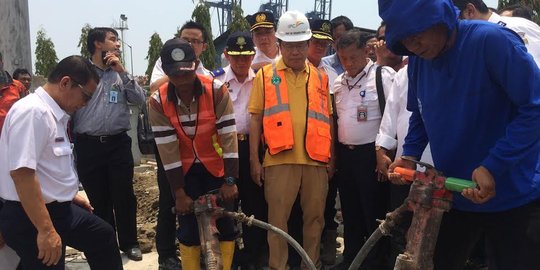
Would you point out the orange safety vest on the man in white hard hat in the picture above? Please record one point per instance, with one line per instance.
(277, 121)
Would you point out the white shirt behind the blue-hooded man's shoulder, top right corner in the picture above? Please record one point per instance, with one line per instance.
(527, 30)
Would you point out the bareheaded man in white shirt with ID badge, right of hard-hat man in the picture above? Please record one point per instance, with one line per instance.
(363, 198)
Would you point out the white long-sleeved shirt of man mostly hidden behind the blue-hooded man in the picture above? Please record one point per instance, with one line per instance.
(395, 121)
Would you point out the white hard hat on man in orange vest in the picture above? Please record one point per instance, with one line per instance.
(293, 26)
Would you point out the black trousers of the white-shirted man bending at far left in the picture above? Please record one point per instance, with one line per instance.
(77, 228)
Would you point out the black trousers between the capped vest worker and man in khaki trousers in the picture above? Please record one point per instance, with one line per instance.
(253, 203)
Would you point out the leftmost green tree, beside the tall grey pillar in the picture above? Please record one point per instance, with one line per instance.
(46, 58)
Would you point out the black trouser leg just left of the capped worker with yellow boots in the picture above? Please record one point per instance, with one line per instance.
(166, 220)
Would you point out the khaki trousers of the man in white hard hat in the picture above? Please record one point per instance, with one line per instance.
(282, 184)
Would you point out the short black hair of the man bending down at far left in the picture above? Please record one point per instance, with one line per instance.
(77, 68)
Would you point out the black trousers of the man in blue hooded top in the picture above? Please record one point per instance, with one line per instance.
(512, 238)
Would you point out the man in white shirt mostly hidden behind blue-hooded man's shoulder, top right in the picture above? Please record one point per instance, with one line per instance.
(527, 30)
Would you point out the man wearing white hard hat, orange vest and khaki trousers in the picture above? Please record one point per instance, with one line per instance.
(290, 102)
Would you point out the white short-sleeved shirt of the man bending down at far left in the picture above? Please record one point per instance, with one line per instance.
(34, 136)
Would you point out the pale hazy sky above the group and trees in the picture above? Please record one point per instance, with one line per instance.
(63, 19)
